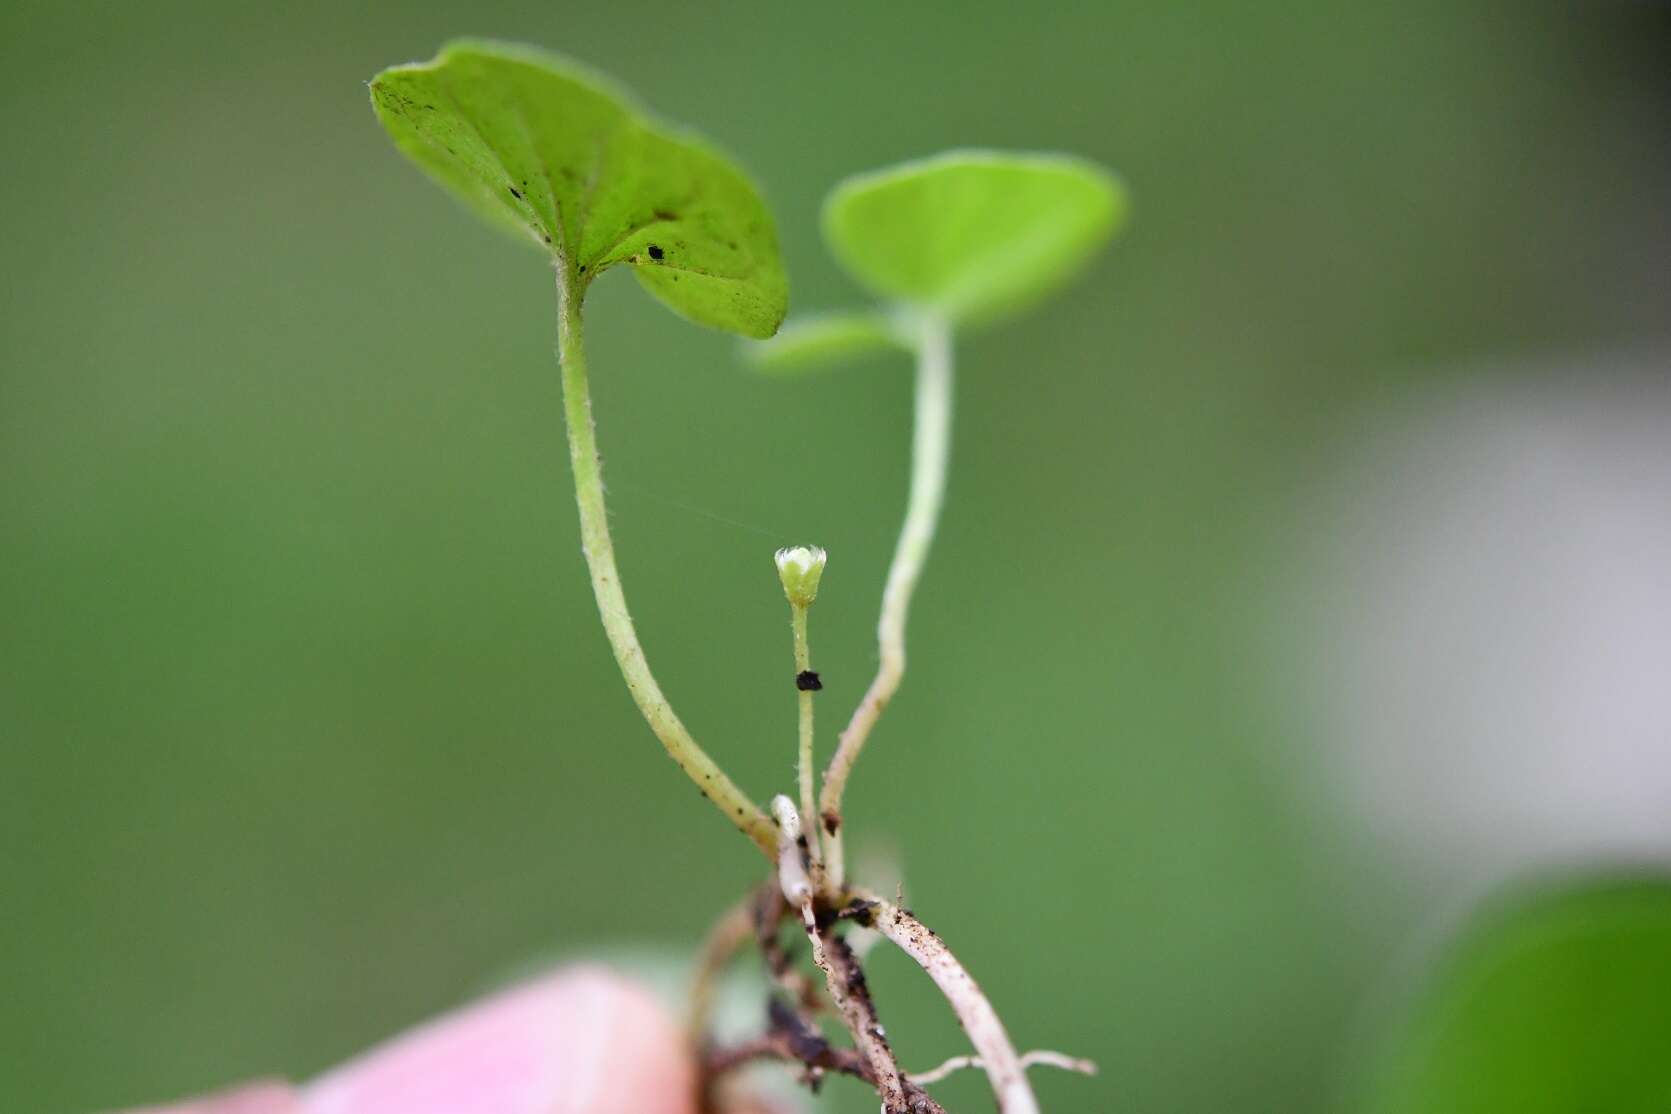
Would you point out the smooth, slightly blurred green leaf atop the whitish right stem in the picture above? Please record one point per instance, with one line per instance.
(973, 235)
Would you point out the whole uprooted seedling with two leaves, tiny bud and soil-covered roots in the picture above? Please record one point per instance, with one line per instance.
(569, 163)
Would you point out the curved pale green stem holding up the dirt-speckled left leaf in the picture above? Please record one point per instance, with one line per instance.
(607, 584)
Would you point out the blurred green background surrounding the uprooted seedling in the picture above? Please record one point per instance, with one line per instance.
(308, 729)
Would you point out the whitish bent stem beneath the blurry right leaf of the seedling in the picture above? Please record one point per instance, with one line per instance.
(930, 453)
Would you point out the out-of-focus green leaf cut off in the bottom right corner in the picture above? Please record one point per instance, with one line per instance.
(1558, 1005)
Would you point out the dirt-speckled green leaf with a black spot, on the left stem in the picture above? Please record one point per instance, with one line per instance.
(569, 163)
